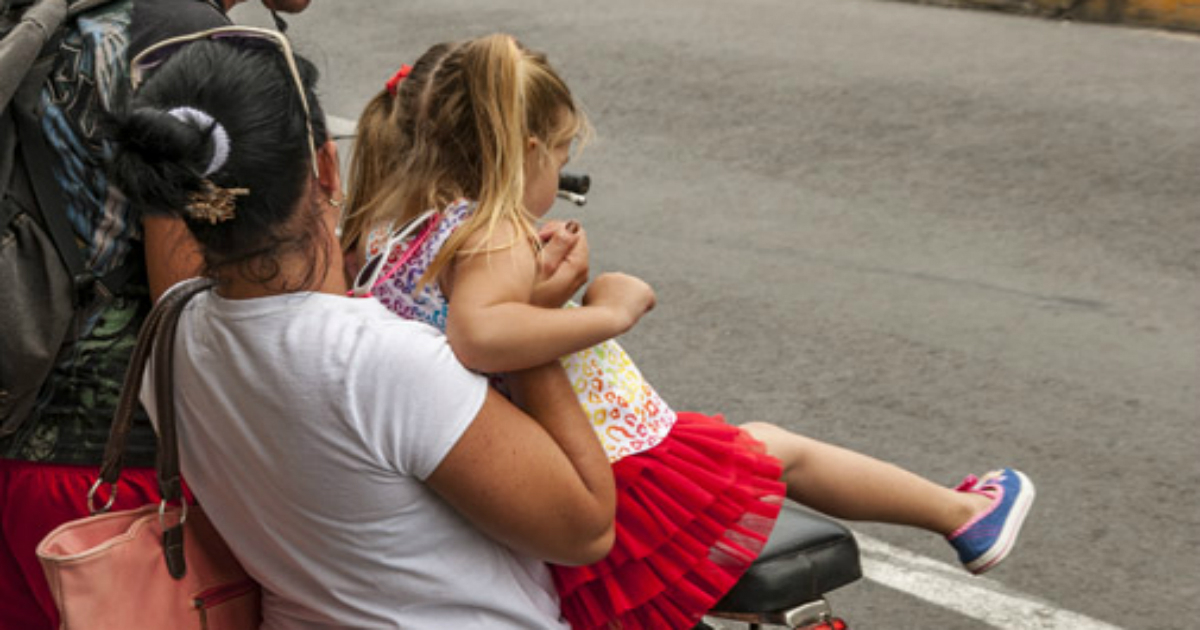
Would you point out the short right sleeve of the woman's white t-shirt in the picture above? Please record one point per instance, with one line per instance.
(413, 397)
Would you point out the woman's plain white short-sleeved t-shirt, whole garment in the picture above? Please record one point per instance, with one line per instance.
(308, 424)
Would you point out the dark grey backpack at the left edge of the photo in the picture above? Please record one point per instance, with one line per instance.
(49, 291)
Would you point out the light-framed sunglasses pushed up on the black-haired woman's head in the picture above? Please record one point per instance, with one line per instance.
(245, 37)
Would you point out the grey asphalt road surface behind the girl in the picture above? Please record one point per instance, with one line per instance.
(951, 239)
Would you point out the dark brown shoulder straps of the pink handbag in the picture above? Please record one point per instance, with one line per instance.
(157, 337)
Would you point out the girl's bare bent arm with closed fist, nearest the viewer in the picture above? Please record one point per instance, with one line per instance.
(493, 326)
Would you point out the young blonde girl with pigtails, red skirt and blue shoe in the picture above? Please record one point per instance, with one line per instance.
(455, 163)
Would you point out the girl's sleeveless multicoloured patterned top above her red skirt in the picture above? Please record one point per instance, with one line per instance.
(626, 412)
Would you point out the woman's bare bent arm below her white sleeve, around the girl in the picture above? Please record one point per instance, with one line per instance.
(544, 488)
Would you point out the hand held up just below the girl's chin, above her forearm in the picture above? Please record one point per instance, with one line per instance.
(563, 266)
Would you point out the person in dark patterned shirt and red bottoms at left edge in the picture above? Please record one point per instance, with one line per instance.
(61, 380)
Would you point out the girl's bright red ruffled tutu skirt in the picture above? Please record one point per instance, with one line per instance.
(693, 513)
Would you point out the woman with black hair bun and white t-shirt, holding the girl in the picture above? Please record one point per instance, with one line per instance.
(356, 469)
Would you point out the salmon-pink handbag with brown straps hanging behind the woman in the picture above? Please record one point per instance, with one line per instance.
(163, 566)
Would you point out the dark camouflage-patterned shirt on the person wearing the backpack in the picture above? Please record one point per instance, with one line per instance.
(77, 403)
